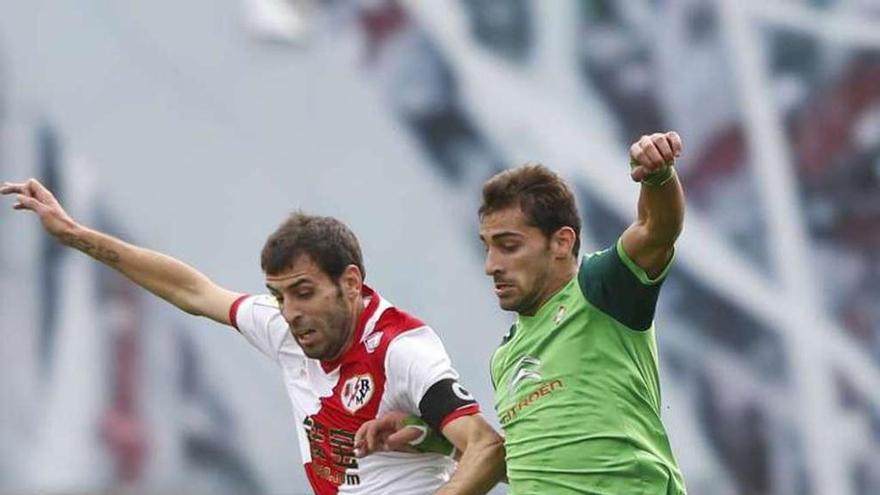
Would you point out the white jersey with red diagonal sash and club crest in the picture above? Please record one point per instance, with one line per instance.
(397, 364)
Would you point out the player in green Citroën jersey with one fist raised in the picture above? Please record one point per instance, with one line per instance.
(576, 381)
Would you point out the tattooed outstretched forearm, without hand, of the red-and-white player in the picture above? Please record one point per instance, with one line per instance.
(162, 275)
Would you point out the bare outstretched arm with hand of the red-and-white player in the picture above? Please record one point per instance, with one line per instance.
(164, 276)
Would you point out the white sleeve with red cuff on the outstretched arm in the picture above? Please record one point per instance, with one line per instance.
(259, 320)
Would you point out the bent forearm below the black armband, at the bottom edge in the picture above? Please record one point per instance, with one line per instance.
(480, 468)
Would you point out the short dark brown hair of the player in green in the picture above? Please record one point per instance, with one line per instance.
(543, 196)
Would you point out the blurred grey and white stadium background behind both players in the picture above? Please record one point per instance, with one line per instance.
(194, 127)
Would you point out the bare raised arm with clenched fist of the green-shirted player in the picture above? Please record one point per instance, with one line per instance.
(650, 239)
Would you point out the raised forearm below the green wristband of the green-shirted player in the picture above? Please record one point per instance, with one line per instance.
(661, 212)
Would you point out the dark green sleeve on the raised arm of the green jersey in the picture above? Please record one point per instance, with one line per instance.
(614, 284)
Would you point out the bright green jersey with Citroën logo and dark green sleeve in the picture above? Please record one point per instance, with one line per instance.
(577, 391)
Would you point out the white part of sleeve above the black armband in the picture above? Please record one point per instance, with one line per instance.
(415, 361)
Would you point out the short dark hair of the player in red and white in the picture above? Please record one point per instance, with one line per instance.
(326, 240)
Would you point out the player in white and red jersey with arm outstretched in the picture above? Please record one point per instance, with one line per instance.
(346, 354)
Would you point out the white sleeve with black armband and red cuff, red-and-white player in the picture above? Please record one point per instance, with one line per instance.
(420, 371)
